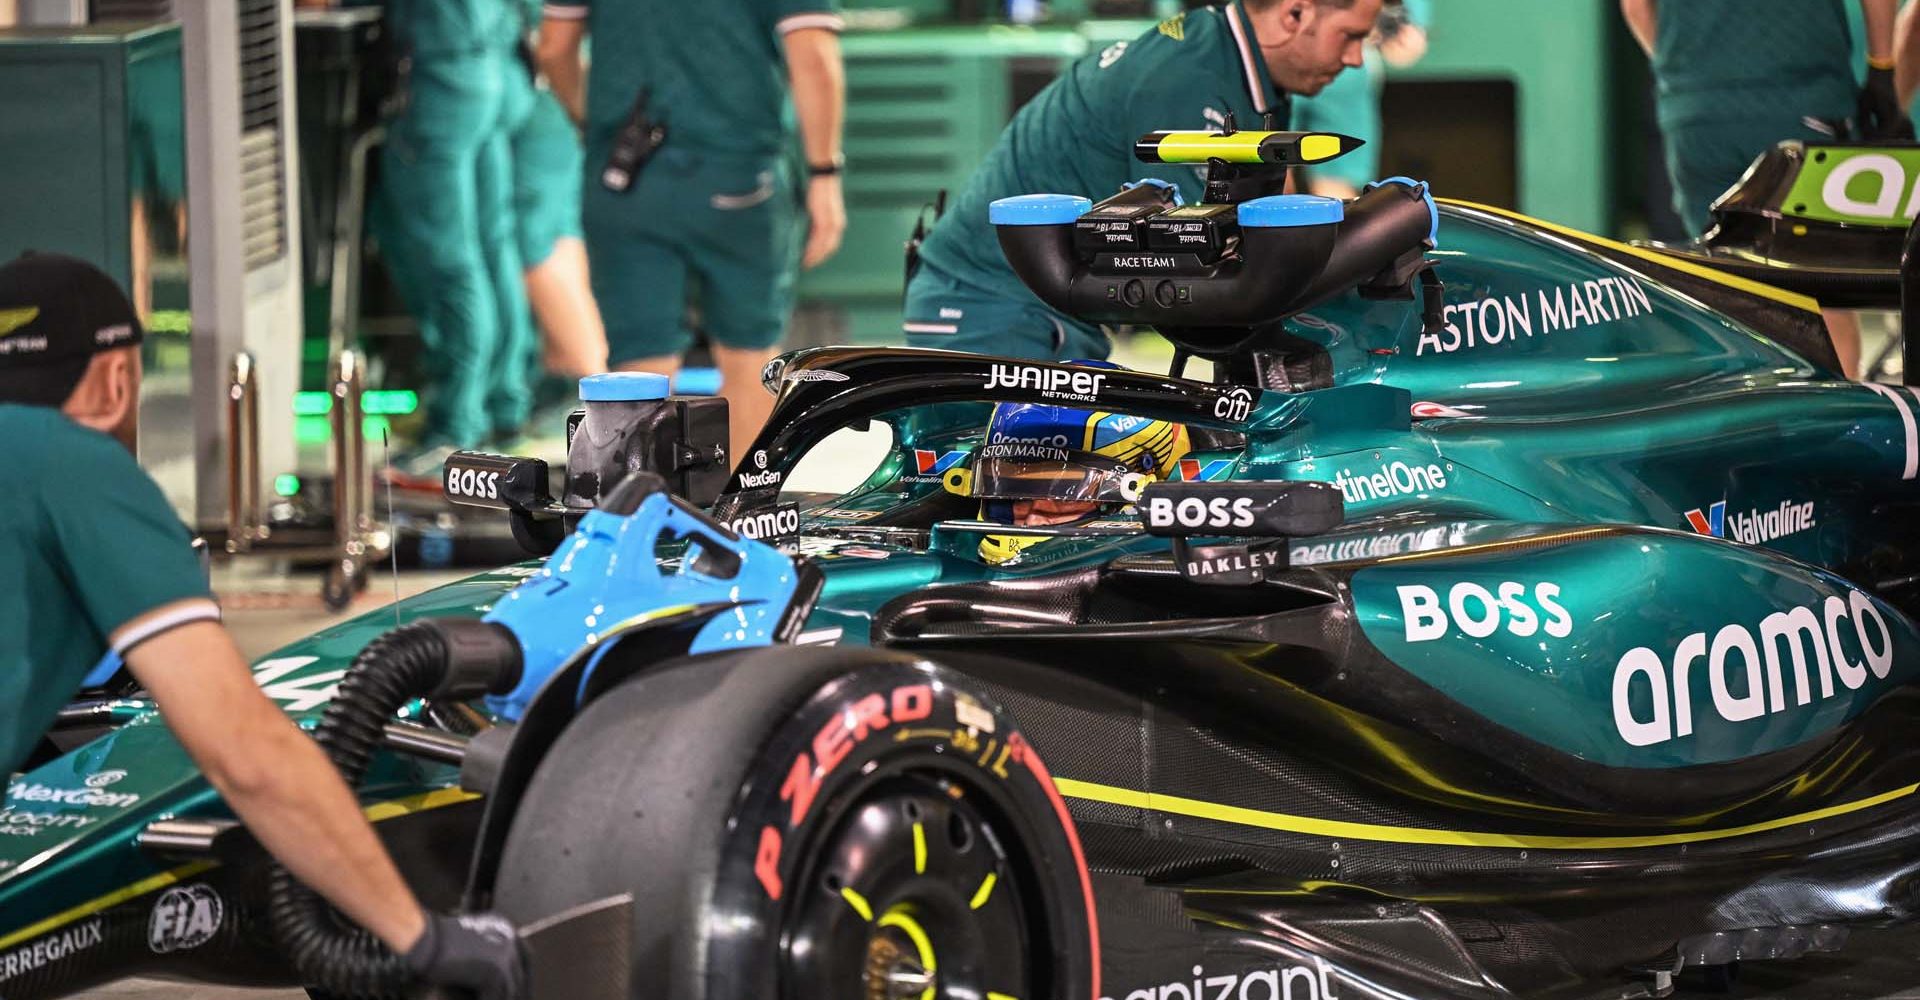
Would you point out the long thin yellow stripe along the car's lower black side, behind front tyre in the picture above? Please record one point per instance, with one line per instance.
(1449, 838)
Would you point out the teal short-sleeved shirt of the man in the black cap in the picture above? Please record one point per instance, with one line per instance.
(91, 546)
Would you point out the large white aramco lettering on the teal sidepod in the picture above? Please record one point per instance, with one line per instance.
(1750, 677)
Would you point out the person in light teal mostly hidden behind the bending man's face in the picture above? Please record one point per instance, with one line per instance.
(1351, 105)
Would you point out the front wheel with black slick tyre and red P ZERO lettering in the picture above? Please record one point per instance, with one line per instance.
(811, 822)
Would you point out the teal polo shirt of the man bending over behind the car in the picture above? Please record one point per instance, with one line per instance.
(1078, 135)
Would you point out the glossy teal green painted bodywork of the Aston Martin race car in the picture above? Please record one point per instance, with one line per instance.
(1529, 444)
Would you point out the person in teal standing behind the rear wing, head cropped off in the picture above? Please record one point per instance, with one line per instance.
(1739, 76)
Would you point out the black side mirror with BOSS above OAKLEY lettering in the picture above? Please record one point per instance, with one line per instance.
(1237, 510)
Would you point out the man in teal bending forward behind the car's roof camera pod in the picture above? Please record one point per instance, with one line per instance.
(1076, 137)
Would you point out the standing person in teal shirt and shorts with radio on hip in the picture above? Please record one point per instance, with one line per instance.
(715, 208)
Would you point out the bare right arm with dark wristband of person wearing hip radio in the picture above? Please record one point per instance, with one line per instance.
(821, 107)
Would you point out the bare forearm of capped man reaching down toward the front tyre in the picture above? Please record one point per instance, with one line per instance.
(274, 776)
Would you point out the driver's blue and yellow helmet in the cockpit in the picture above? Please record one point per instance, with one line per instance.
(1047, 465)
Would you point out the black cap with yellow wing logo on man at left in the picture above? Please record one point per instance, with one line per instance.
(57, 314)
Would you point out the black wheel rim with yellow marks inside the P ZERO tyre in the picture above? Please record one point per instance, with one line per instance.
(919, 890)
